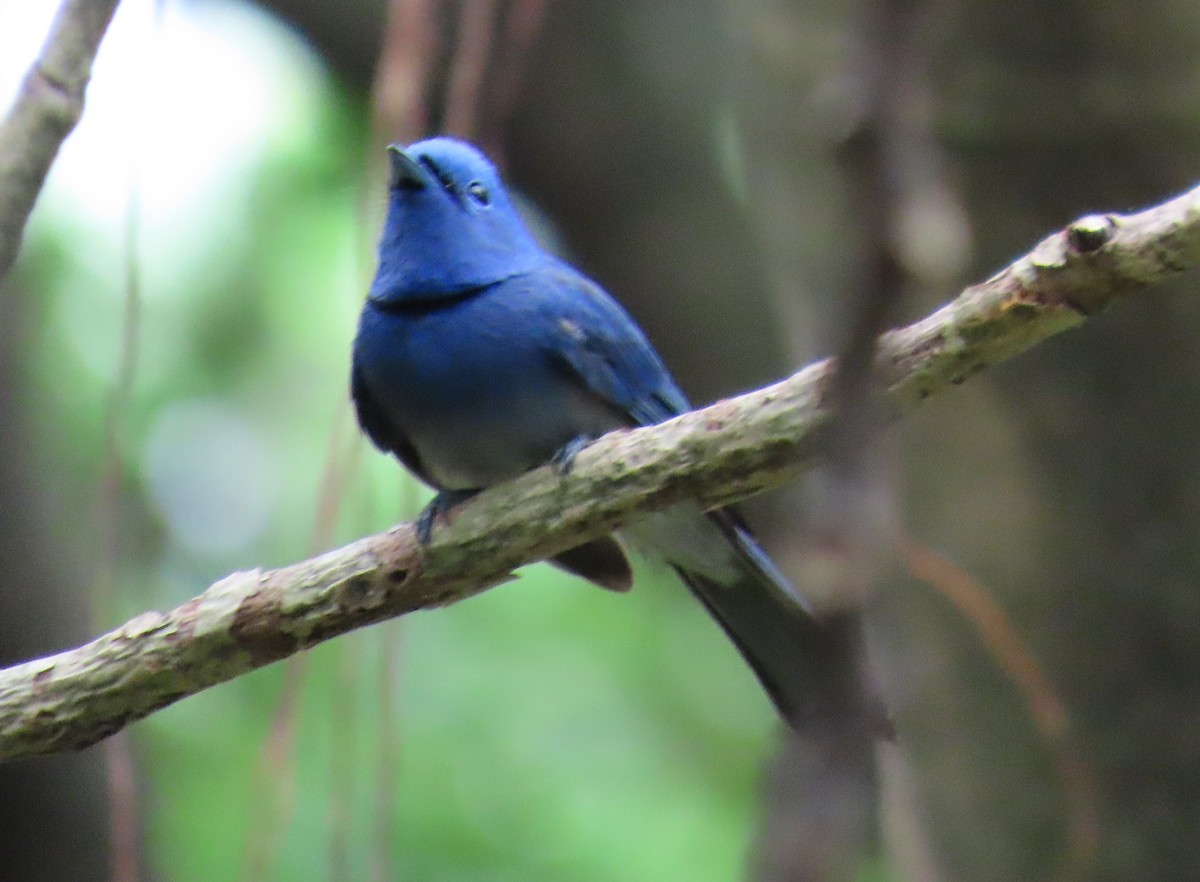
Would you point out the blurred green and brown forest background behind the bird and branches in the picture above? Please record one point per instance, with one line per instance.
(173, 406)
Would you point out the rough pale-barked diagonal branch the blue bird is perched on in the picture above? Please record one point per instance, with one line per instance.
(718, 455)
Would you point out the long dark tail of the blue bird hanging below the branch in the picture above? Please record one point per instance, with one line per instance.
(811, 669)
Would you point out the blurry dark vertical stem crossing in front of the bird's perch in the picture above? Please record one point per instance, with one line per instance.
(823, 793)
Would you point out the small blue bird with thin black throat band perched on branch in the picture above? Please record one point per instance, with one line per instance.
(479, 357)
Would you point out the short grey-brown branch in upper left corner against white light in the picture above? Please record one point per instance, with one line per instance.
(47, 109)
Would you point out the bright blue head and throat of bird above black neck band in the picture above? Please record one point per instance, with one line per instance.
(451, 227)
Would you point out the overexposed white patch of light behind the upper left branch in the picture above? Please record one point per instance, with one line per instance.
(183, 105)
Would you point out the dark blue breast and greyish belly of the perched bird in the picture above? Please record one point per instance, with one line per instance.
(472, 391)
